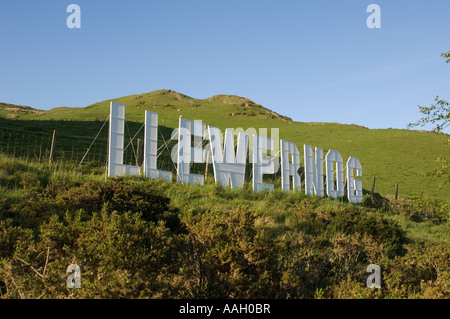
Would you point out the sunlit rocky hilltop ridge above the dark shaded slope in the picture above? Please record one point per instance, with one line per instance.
(167, 103)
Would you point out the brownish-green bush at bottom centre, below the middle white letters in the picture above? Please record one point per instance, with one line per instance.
(224, 255)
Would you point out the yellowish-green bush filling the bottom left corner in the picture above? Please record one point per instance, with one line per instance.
(120, 256)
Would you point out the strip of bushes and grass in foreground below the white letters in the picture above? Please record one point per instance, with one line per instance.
(138, 238)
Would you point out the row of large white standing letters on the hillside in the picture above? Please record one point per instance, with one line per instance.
(229, 165)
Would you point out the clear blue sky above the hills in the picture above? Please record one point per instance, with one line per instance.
(310, 60)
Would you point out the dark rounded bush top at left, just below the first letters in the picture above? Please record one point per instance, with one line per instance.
(59, 197)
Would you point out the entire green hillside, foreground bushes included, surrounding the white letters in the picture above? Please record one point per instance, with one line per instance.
(140, 238)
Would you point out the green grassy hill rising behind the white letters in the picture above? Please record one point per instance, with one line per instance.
(391, 155)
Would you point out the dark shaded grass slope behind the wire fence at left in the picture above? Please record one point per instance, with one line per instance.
(80, 145)
